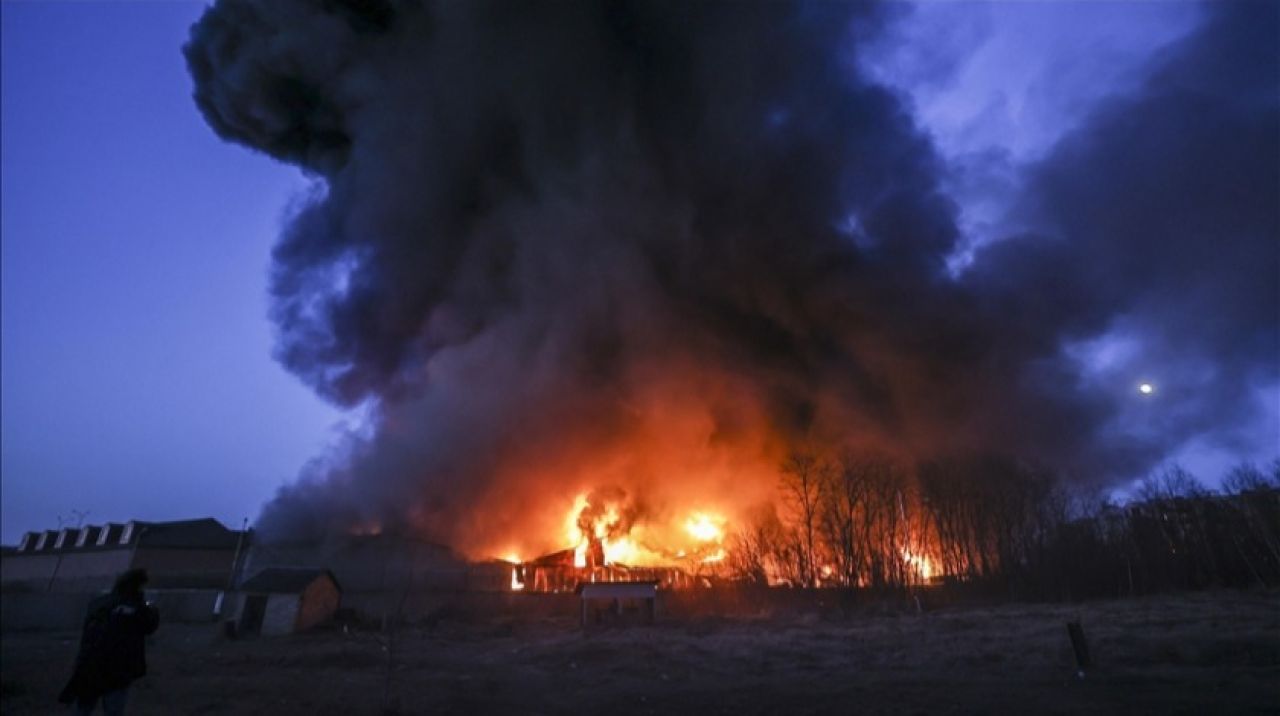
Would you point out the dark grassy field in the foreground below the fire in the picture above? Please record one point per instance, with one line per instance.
(1200, 654)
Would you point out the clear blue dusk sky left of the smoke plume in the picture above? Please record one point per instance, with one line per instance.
(138, 376)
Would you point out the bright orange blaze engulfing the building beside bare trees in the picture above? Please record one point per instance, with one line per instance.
(678, 492)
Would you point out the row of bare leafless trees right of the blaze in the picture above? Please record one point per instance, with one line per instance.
(1008, 528)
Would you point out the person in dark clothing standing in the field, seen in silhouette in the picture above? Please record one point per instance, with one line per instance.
(113, 647)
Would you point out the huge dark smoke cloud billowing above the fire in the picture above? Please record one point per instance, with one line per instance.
(546, 230)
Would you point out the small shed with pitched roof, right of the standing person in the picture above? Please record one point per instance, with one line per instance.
(287, 601)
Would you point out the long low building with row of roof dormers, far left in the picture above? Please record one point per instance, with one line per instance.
(200, 554)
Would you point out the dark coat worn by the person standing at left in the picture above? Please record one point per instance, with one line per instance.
(113, 650)
